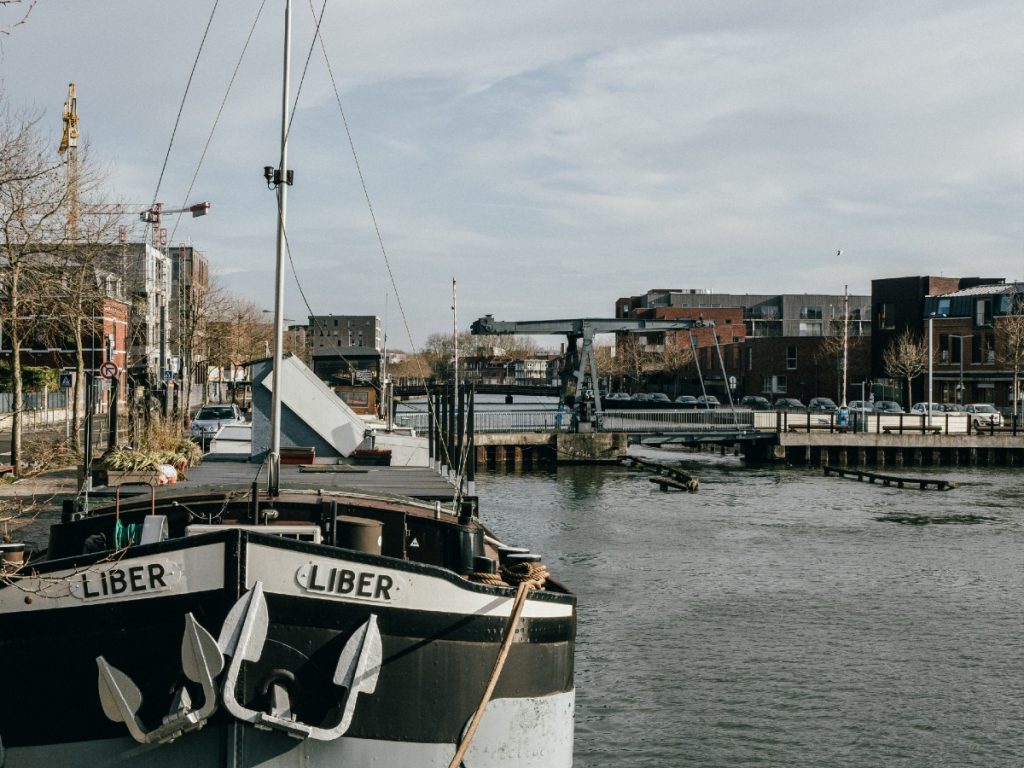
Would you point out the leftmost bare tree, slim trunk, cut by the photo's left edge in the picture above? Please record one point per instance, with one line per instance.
(33, 197)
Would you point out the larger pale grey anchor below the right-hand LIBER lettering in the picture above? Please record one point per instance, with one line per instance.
(243, 637)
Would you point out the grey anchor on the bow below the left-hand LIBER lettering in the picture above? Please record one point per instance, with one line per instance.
(201, 662)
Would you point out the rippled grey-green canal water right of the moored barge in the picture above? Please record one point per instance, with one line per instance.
(775, 620)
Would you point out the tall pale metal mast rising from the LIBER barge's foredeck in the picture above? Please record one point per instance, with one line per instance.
(283, 180)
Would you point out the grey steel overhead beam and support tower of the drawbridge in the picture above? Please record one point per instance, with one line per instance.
(582, 362)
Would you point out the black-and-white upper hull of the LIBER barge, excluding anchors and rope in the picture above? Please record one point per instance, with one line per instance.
(440, 635)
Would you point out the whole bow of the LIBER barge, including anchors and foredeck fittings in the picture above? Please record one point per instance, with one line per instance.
(239, 646)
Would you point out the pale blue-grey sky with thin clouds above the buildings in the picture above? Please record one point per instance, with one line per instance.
(551, 157)
